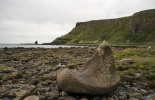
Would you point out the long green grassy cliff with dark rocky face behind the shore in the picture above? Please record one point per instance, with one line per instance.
(139, 28)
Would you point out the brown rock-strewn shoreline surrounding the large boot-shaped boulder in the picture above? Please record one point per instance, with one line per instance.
(32, 71)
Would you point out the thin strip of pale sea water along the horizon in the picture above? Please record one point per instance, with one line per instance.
(36, 46)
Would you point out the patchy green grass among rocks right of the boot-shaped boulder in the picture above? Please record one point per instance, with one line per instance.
(143, 62)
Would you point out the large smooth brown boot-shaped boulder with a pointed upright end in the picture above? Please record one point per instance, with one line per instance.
(97, 76)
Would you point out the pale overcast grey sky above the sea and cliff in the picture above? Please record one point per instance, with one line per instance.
(27, 21)
